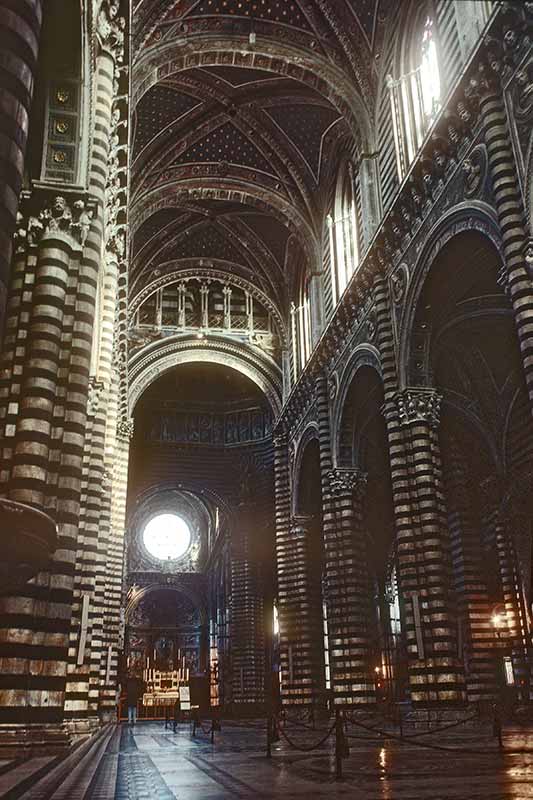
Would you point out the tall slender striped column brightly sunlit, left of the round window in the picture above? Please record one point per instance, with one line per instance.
(89, 651)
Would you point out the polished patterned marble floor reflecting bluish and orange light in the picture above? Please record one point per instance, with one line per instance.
(150, 762)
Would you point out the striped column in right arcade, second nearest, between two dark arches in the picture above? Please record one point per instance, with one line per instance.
(348, 590)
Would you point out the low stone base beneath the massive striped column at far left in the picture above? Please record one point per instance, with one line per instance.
(27, 741)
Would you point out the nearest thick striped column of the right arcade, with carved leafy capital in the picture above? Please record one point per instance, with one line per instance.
(424, 562)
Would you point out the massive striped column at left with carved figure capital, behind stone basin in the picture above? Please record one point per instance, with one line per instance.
(34, 623)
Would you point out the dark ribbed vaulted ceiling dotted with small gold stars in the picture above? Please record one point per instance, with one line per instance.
(240, 108)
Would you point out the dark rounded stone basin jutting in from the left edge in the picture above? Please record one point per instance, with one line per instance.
(29, 537)
